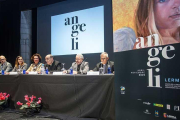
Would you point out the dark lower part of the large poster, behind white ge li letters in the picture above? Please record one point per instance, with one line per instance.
(136, 101)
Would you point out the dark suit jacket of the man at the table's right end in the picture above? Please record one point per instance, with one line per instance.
(111, 63)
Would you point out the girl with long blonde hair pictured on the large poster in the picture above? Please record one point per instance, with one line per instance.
(161, 17)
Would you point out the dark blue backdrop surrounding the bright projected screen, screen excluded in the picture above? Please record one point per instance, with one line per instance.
(44, 28)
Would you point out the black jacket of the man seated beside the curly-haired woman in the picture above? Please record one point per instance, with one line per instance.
(56, 66)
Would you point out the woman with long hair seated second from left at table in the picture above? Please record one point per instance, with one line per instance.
(19, 65)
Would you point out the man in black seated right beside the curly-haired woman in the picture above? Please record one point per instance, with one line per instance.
(52, 64)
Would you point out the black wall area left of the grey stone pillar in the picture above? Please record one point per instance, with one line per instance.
(9, 29)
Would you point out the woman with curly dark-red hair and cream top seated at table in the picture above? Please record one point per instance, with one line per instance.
(36, 65)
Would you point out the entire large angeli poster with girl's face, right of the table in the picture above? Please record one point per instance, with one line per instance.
(147, 85)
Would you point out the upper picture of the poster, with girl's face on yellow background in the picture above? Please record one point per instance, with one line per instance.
(145, 23)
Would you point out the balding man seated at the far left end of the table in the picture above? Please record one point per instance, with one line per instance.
(6, 66)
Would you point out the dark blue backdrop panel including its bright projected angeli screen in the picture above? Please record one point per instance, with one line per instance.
(70, 27)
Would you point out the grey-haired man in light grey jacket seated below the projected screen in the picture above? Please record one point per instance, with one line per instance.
(80, 66)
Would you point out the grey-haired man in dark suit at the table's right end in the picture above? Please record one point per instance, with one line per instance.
(104, 63)
